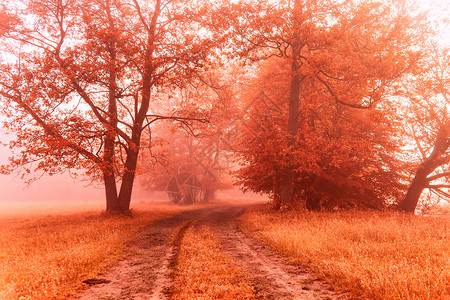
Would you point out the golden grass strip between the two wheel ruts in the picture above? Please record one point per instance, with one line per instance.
(203, 271)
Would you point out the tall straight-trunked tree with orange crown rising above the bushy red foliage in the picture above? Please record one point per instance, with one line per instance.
(347, 53)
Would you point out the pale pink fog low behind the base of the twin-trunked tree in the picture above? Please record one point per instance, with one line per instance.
(61, 194)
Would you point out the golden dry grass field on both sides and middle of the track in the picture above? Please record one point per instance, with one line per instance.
(373, 255)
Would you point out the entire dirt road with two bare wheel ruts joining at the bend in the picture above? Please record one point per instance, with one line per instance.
(146, 274)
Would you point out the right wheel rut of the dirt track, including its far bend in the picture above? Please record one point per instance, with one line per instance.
(267, 272)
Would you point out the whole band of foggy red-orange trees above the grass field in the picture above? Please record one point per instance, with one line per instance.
(318, 104)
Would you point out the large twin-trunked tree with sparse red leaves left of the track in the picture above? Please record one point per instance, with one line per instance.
(77, 80)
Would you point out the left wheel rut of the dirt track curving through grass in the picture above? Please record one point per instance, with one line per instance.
(146, 273)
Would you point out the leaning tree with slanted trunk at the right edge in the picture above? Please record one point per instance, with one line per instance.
(429, 124)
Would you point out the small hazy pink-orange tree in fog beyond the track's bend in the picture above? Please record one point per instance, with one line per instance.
(176, 153)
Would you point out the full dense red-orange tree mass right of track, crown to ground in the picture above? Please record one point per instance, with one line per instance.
(324, 128)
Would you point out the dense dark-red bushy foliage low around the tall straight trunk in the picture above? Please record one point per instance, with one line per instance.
(346, 158)
